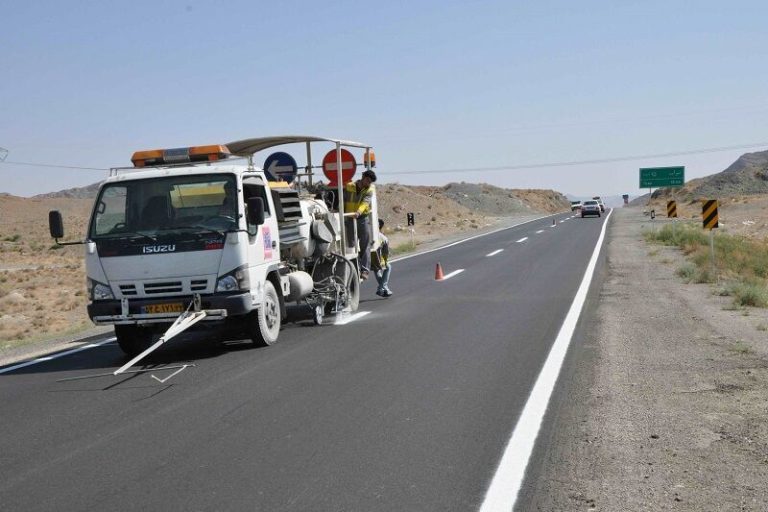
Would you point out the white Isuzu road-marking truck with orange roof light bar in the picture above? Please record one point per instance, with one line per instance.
(203, 231)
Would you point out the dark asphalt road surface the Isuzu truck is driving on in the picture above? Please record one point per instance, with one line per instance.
(407, 407)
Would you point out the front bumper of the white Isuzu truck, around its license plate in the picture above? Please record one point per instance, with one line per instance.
(217, 307)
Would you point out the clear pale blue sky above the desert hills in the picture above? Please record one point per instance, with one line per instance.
(432, 85)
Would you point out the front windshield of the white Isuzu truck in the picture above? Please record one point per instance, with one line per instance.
(166, 206)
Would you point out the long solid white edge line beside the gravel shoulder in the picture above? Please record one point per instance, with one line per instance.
(502, 493)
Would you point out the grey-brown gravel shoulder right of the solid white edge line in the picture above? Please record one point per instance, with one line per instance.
(665, 405)
